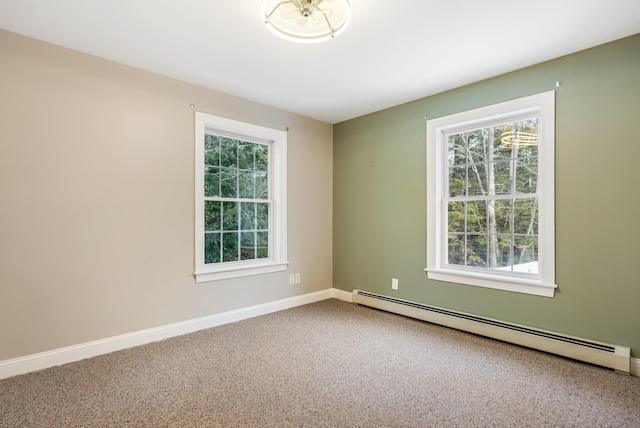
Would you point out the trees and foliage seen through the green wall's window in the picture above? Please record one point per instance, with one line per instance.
(492, 214)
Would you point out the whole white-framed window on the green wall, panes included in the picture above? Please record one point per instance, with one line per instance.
(490, 196)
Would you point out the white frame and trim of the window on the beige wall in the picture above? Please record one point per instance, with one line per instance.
(277, 140)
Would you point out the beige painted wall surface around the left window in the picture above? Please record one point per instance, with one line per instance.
(97, 200)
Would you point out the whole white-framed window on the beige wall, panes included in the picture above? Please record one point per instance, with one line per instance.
(240, 198)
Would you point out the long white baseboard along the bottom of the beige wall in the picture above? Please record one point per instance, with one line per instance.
(56, 357)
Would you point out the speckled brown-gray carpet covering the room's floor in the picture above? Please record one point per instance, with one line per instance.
(327, 364)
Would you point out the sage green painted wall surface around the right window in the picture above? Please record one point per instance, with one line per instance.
(380, 201)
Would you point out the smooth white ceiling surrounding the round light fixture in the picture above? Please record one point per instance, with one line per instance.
(393, 51)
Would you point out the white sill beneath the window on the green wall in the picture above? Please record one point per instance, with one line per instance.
(497, 282)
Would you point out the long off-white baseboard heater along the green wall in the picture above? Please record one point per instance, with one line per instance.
(598, 353)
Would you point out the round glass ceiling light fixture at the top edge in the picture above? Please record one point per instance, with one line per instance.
(306, 21)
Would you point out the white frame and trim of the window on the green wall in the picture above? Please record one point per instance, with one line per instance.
(541, 284)
